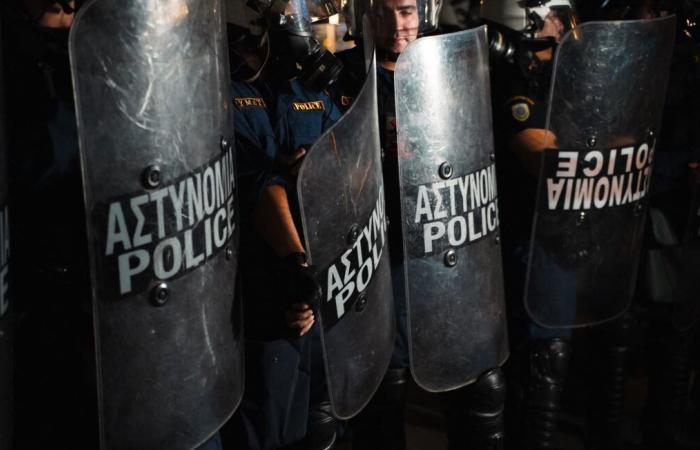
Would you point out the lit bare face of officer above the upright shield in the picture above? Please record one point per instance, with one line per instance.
(395, 23)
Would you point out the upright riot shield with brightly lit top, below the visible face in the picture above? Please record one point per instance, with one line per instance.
(452, 258)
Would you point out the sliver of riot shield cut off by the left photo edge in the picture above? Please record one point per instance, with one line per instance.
(6, 324)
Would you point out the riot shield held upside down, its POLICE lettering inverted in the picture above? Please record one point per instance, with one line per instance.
(607, 97)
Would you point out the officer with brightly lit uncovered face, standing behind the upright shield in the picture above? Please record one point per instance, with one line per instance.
(474, 413)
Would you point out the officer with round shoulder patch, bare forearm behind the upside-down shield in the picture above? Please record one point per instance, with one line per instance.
(519, 88)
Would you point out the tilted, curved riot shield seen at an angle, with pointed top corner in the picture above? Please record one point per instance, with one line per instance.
(341, 200)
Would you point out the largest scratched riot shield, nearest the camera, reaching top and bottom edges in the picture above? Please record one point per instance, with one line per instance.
(151, 91)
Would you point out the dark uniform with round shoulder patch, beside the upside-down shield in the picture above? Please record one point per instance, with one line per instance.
(520, 103)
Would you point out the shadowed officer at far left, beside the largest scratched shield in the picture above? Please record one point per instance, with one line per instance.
(50, 270)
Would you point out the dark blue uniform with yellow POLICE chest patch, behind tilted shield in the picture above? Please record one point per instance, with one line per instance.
(284, 373)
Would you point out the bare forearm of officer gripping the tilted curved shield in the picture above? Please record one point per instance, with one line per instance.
(274, 221)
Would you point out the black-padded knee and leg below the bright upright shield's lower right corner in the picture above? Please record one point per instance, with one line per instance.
(475, 414)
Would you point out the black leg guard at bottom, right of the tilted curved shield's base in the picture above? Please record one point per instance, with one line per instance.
(380, 426)
